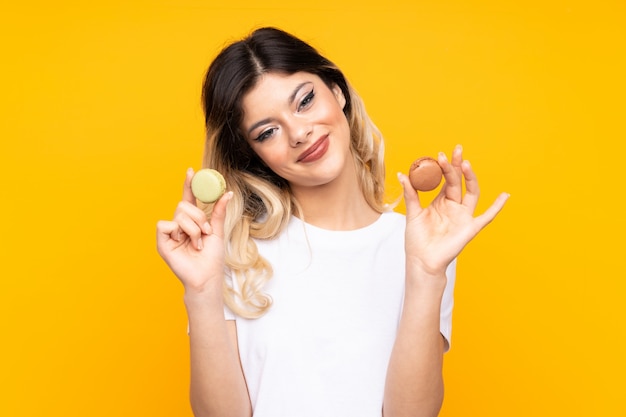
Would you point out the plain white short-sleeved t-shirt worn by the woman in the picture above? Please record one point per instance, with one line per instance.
(323, 348)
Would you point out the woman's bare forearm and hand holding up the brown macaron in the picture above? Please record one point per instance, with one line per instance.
(435, 235)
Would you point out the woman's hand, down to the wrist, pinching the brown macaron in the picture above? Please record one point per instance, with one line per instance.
(436, 234)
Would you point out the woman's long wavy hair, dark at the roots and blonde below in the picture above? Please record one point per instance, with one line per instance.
(262, 202)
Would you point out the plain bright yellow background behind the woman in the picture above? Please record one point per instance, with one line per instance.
(101, 117)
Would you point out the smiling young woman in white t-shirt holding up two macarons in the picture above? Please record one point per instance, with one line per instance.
(306, 294)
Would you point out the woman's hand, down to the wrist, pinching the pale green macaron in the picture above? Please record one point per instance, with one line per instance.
(192, 246)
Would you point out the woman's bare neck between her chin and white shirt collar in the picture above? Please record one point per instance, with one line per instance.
(339, 205)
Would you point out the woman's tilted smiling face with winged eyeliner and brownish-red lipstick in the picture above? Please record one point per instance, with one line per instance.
(296, 124)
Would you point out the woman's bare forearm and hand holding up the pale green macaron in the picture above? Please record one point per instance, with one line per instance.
(194, 250)
